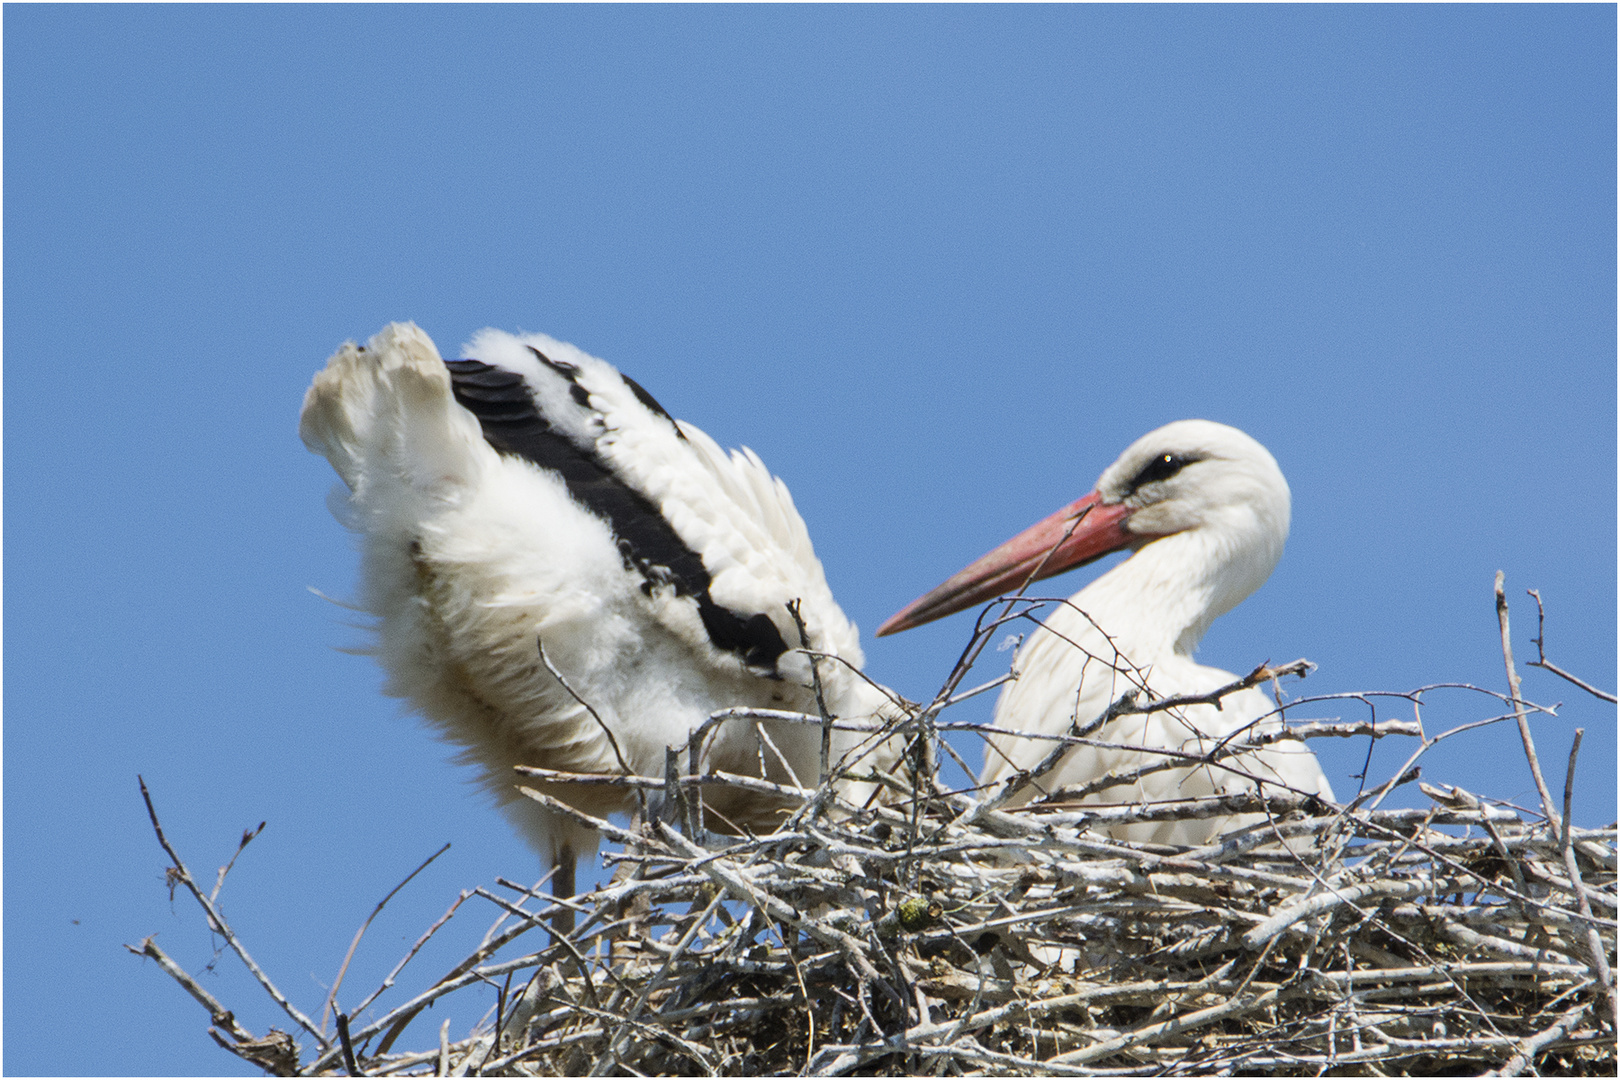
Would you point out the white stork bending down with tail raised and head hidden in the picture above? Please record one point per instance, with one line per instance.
(532, 496)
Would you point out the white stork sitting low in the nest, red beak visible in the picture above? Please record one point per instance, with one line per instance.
(1204, 509)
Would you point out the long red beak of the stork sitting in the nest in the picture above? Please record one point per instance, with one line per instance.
(1088, 529)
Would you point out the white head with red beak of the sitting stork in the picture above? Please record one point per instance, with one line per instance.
(1193, 478)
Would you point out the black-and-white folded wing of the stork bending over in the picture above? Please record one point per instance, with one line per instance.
(699, 525)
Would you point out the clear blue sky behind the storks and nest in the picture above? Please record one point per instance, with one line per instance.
(939, 266)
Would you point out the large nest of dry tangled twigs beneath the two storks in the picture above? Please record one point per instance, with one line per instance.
(942, 932)
